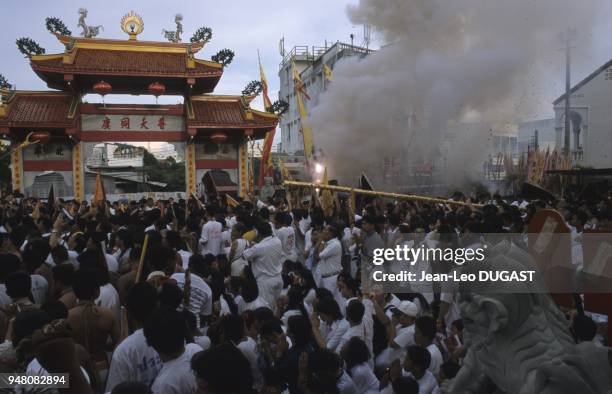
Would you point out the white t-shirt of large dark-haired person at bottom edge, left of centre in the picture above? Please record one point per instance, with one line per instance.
(176, 376)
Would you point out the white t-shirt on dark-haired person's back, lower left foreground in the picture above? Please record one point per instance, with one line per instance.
(133, 361)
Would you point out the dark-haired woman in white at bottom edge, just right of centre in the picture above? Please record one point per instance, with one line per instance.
(356, 357)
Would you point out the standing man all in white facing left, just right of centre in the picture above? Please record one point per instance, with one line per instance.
(329, 256)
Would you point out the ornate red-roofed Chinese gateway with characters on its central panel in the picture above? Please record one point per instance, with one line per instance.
(207, 132)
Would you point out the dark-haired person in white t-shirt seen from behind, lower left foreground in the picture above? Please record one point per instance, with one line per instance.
(134, 360)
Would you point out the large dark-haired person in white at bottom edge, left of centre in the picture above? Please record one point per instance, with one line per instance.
(165, 332)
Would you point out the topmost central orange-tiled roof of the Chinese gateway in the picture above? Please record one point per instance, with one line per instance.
(129, 66)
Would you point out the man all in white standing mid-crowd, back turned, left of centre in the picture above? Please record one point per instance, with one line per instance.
(266, 259)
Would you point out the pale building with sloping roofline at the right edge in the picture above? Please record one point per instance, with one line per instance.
(590, 119)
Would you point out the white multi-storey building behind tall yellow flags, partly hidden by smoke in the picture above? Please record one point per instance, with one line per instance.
(309, 61)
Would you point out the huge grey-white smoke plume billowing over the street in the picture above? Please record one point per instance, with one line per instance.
(448, 62)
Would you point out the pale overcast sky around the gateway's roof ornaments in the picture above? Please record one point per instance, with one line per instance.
(241, 25)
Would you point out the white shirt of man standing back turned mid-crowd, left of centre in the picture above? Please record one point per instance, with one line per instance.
(266, 257)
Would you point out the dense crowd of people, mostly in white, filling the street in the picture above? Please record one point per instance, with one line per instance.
(184, 296)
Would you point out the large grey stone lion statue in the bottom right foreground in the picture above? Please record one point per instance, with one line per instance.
(519, 341)
